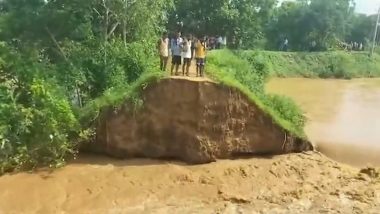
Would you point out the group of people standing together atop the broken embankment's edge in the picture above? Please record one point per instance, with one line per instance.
(182, 50)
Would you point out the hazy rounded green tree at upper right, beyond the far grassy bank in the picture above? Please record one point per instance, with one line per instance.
(322, 21)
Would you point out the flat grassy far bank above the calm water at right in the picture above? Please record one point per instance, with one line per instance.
(331, 64)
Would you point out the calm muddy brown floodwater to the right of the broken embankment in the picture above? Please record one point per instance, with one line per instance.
(343, 115)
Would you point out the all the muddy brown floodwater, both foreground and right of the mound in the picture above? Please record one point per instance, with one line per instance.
(344, 121)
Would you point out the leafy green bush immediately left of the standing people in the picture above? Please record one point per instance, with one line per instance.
(95, 68)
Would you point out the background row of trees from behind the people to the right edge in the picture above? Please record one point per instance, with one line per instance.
(264, 24)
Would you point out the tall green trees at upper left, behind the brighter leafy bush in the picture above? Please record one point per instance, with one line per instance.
(96, 39)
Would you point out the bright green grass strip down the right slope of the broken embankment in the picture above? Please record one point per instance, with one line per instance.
(250, 77)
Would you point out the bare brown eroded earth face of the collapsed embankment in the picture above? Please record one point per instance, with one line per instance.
(193, 121)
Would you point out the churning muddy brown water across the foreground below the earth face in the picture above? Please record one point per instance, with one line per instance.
(288, 184)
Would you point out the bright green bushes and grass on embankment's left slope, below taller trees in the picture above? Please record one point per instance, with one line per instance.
(41, 122)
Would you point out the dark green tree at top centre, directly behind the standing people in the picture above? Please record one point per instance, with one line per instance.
(242, 19)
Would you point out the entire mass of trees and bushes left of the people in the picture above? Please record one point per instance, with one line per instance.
(56, 57)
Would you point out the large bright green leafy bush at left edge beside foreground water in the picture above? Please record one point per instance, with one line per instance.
(37, 124)
